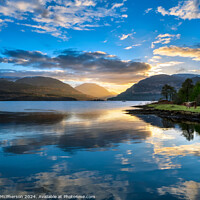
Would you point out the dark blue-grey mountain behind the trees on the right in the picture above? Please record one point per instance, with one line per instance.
(150, 88)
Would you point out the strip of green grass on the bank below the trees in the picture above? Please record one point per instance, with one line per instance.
(174, 107)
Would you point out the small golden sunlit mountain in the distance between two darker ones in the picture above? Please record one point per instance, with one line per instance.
(94, 90)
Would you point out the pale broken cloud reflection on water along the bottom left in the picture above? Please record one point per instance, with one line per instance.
(60, 181)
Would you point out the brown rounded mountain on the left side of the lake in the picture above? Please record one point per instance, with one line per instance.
(39, 88)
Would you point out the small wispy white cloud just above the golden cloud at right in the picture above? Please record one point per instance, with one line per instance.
(164, 39)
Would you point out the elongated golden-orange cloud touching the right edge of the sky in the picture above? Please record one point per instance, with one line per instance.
(173, 51)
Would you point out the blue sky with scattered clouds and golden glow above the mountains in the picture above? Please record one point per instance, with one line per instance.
(114, 43)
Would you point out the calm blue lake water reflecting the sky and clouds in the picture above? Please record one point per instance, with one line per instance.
(96, 149)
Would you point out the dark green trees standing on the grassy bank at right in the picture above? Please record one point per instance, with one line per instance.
(188, 92)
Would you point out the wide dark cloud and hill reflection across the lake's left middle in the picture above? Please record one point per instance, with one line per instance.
(70, 132)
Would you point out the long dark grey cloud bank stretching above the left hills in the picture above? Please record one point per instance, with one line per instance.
(76, 65)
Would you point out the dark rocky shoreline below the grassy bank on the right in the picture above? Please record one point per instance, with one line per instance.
(174, 115)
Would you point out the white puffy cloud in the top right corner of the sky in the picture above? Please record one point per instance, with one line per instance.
(185, 10)
